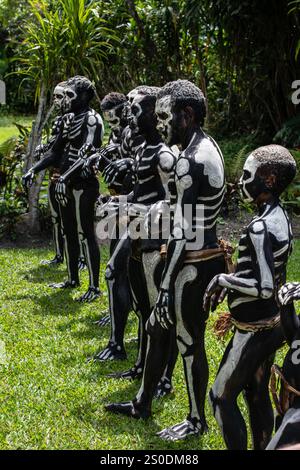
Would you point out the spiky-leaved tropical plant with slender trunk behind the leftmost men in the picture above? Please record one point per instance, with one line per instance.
(60, 38)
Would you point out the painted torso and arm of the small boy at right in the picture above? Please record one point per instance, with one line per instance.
(260, 265)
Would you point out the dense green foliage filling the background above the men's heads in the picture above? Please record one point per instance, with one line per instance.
(243, 54)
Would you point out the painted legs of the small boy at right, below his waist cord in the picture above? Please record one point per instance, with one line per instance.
(242, 359)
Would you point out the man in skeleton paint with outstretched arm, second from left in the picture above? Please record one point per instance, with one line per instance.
(80, 126)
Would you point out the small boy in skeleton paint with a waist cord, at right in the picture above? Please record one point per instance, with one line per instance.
(261, 268)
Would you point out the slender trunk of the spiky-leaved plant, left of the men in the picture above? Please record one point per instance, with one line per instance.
(35, 139)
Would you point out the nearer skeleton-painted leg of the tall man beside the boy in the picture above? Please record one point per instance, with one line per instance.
(190, 287)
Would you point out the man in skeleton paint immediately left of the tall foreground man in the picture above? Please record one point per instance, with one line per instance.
(154, 165)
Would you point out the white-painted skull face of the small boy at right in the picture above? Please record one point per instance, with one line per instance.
(250, 184)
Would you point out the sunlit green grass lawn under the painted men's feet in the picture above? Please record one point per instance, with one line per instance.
(50, 396)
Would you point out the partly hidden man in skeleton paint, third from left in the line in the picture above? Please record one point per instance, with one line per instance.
(117, 168)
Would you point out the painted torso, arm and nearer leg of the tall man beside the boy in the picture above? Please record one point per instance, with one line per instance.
(187, 283)
